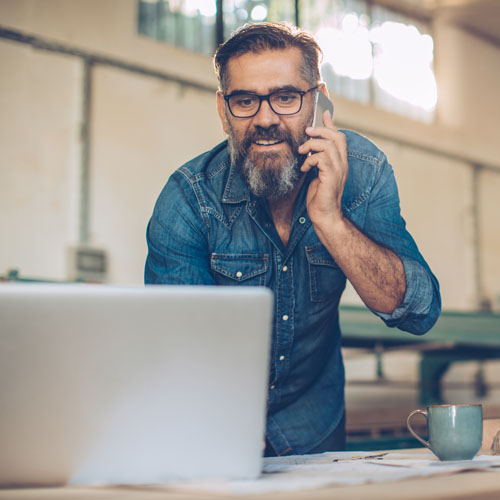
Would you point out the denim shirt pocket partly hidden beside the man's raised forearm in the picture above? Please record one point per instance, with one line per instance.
(326, 279)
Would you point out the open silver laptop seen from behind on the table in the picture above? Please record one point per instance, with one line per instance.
(132, 385)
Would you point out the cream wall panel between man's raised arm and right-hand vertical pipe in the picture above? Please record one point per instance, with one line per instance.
(436, 202)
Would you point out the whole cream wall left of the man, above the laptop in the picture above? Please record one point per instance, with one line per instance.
(137, 124)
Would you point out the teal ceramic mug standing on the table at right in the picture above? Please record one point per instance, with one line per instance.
(455, 431)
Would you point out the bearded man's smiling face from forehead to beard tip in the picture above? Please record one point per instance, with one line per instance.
(264, 147)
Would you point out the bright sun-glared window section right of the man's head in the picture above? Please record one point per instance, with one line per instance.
(373, 55)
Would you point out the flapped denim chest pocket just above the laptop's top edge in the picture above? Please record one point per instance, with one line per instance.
(239, 269)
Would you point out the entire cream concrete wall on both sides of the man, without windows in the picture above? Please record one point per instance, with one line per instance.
(142, 128)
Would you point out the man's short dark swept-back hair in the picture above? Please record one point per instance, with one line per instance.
(260, 37)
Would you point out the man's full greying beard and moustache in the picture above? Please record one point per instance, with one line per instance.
(268, 175)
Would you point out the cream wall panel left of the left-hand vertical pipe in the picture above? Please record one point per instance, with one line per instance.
(39, 159)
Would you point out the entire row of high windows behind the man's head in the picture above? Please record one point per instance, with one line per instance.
(371, 54)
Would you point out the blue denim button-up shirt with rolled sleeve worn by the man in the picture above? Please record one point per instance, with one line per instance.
(207, 228)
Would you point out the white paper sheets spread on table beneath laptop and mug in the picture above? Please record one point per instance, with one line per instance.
(338, 468)
